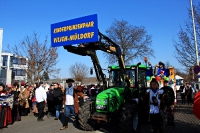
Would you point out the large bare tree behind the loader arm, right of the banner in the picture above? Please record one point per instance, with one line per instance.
(134, 41)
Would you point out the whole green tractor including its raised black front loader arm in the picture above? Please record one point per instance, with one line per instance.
(121, 92)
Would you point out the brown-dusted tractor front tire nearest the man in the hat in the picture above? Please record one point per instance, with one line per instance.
(84, 116)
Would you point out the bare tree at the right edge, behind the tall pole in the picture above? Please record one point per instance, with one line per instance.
(185, 46)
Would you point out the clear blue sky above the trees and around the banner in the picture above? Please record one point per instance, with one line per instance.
(161, 18)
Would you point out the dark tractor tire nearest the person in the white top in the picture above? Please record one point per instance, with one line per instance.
(128, 119)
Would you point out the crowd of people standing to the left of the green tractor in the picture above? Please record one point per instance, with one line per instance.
(33, 98)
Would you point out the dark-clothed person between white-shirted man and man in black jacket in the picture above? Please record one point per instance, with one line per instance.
(50, 100)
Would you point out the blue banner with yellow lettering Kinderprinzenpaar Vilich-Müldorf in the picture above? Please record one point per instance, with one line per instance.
(75, 31)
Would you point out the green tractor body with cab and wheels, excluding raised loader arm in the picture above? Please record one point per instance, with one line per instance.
(117, 102)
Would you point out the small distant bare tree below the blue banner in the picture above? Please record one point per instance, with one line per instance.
(79, 71)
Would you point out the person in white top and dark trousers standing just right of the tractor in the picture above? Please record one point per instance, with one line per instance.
(155, 118)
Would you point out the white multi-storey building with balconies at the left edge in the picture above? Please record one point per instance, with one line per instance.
(13, 68)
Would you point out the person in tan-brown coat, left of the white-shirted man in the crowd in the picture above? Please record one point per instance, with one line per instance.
(23, 97)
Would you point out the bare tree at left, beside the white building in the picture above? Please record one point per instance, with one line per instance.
(42, 58)
